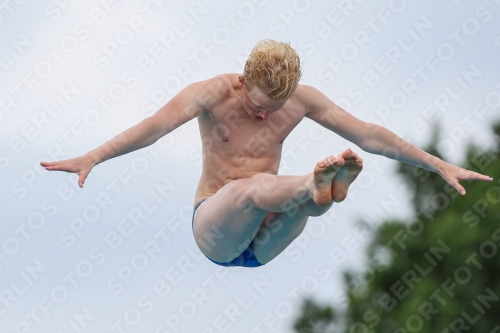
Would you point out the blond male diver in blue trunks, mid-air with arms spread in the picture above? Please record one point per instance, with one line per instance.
(243, 120)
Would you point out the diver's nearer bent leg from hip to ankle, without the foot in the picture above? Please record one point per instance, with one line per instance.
(226, 223)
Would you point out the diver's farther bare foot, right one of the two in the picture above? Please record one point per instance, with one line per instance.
(346, 175)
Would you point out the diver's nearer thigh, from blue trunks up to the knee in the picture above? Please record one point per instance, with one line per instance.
(226, 223)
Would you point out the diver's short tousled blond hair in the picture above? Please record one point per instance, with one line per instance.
(274, 67)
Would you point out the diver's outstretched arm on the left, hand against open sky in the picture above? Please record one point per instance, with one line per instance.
(191, 102)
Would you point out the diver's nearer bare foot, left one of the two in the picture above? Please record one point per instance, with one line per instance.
(323, 175)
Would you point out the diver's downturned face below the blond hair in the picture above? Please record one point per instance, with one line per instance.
(258, 105)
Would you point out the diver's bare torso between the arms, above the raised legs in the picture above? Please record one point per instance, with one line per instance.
(237, 146)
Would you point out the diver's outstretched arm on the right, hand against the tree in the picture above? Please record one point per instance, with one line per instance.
(376, 139)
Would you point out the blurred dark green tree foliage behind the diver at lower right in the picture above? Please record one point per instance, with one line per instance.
(440, 271)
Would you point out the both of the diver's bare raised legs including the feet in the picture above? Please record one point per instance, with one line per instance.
(228, 221)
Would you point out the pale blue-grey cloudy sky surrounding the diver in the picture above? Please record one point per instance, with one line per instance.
(74, 75)
